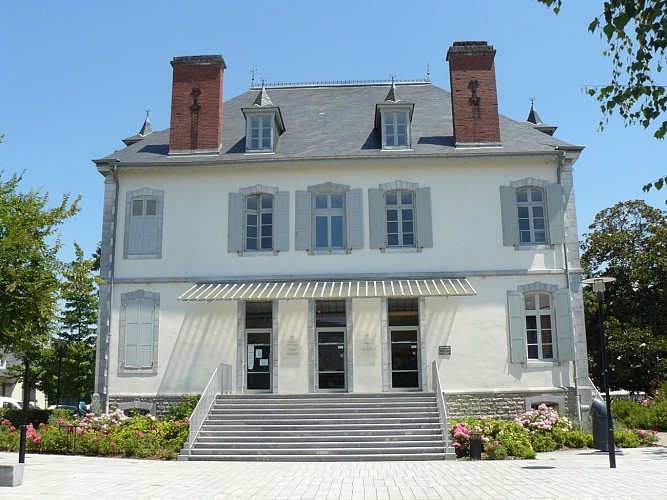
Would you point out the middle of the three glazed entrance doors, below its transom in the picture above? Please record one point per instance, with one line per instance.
(331, 360)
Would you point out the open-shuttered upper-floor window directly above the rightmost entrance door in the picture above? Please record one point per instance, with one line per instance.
(400, 216)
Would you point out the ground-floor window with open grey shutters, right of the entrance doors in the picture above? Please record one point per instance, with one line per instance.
(540, 324)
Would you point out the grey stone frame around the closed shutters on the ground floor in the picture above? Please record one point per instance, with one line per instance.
(146, 297)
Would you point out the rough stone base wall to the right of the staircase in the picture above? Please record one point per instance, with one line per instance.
(505, 405)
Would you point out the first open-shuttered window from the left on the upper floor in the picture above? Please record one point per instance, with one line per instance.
(258, 220)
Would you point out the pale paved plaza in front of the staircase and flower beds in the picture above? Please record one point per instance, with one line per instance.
(579, 474)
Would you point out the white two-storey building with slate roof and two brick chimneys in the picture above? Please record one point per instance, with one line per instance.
(343, 237)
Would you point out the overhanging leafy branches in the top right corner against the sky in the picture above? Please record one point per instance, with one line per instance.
(635, 32)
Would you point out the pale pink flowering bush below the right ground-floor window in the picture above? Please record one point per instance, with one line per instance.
(546, 427)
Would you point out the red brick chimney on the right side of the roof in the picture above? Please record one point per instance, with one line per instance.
(472, 78)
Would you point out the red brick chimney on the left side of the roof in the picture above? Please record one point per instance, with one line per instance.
(196, 104)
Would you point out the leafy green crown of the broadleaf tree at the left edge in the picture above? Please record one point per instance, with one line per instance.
(29, 281)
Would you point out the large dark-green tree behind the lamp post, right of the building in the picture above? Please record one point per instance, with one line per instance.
(629, 242)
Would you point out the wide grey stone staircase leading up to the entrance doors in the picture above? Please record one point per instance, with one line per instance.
(321, 427)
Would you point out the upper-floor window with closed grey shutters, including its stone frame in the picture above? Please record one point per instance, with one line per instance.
(130, 238)
